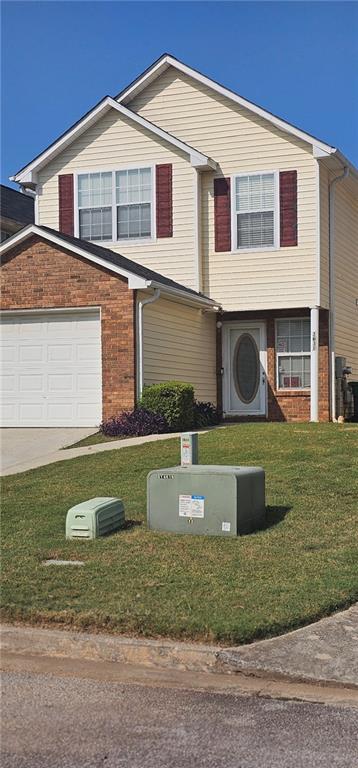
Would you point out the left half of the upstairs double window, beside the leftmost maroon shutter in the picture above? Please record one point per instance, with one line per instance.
(95, 206)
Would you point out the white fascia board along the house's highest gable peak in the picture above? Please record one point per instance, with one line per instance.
(168, 61)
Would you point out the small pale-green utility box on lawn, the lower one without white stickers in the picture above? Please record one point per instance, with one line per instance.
(95, 517)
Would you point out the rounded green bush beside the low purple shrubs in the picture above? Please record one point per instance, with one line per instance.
(174, 400)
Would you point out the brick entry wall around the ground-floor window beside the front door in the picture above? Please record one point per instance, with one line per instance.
(291, 405)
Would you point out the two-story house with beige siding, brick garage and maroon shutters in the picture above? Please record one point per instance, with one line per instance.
(181, 232)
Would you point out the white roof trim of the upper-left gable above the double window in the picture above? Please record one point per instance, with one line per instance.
(25, 174)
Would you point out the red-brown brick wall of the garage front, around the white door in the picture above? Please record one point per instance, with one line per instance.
(39, 275)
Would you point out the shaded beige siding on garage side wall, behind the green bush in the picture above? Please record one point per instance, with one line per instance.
(179, 342)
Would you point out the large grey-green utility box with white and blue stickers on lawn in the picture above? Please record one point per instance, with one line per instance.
(212, 500)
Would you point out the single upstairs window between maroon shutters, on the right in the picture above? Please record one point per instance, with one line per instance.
(255, 211)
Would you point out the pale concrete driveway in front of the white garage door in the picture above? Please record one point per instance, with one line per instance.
(22, 446)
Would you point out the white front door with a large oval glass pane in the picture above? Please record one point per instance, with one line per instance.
(244, 358)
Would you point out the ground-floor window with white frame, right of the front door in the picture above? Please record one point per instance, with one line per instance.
(293, 345)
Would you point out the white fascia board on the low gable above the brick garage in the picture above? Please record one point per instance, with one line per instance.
(133, 279)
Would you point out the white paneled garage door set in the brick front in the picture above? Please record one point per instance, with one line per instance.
(51, 371)
